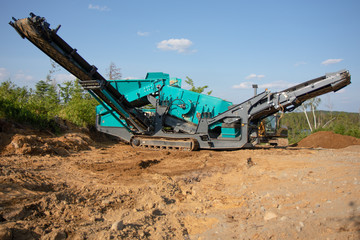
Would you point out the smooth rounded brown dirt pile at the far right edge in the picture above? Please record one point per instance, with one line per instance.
(327, 139)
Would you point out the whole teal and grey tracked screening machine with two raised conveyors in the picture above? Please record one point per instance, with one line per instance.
(157, 113)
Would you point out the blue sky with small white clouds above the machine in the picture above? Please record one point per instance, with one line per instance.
(227, 45)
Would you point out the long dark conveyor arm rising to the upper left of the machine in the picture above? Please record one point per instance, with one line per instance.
(38, 32)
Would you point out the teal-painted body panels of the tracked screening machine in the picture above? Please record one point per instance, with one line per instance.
(182, 103)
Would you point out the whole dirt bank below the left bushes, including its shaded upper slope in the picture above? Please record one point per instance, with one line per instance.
(19, 139)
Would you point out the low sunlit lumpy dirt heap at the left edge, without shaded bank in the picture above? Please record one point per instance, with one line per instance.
(35, 145)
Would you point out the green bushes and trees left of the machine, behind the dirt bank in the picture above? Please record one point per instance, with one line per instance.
(48, 101)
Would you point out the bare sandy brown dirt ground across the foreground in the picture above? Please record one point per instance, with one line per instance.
(71, 187)
